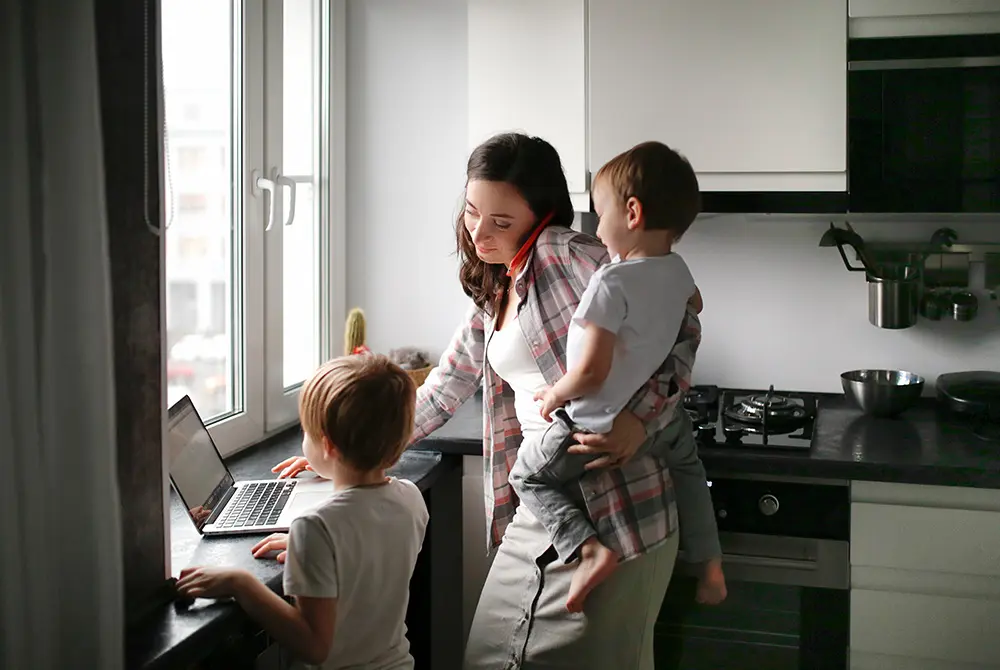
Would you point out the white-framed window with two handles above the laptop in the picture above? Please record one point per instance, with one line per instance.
(258, 228)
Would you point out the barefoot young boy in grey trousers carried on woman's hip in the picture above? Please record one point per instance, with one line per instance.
(627, 322)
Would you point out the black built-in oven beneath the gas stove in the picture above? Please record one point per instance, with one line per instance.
(787, 563)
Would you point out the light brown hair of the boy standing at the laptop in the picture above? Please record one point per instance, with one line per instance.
(364, 405)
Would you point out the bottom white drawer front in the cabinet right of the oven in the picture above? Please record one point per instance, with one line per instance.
(950, 630)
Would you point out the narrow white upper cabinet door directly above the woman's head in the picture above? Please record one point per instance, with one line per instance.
(527, 61)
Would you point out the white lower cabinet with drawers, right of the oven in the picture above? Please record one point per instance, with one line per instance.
(925, 577)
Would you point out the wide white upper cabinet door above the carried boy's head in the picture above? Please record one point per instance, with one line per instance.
(753, 93)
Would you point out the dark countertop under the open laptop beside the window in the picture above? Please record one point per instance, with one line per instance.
(163, 639)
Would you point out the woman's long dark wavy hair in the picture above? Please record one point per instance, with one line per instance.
(532, 166)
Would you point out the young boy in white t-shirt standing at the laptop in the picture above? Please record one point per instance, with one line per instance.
(350, 560)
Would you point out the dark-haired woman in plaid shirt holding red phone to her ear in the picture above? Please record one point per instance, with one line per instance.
(525, 270)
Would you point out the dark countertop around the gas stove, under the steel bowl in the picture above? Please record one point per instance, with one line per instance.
(918, 447)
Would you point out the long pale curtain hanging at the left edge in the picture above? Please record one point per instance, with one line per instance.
(60, 559)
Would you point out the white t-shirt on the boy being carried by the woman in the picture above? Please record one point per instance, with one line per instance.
(643, 301)
